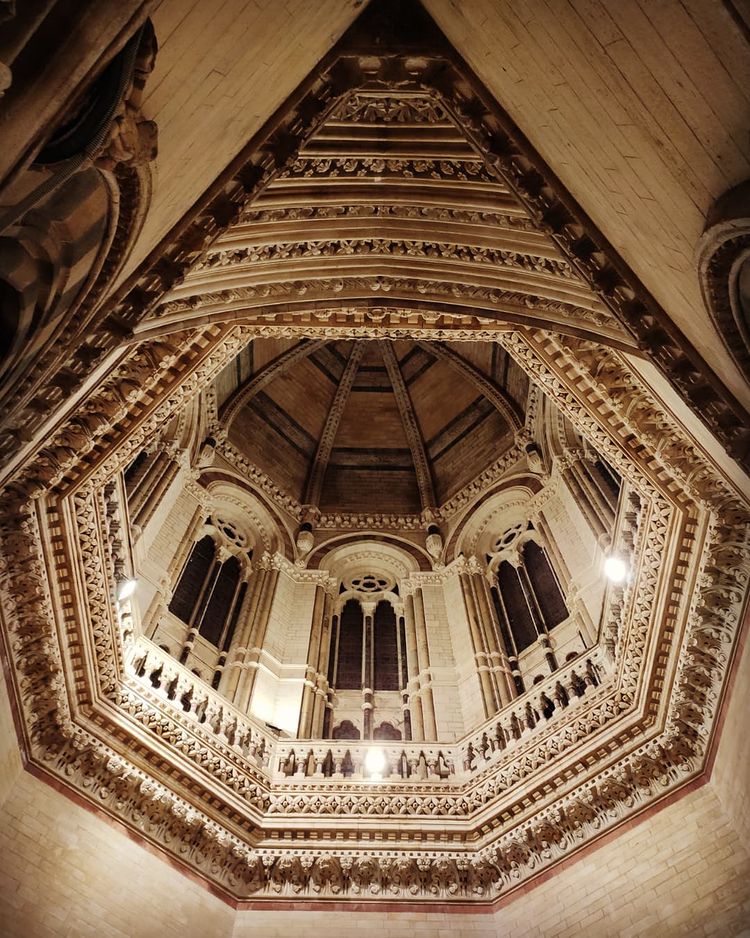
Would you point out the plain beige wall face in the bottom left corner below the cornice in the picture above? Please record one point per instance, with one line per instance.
(65, 872)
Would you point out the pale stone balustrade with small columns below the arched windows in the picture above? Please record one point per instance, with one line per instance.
(290, 760)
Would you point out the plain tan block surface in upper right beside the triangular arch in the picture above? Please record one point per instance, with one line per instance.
(641, 110)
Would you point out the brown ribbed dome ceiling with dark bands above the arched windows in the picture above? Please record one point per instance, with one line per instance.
(375, 426)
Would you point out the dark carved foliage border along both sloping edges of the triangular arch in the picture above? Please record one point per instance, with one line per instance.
(430, 67)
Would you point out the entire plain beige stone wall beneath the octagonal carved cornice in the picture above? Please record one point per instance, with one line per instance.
(681, 871)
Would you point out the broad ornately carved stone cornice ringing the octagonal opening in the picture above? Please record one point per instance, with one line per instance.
(689, 517)
